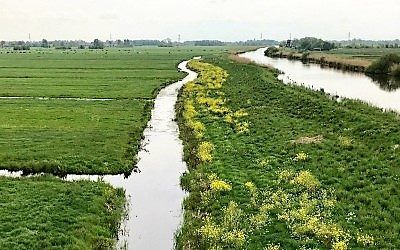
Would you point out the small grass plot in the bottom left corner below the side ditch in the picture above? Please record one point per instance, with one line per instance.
(45, 213)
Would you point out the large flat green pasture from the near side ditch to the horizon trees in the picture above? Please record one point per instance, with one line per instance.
(80, 136)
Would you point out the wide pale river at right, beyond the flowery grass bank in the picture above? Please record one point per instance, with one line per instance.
(381, 92)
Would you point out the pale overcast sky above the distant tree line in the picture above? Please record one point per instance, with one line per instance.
(226, 20)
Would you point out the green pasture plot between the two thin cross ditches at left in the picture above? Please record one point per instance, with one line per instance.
(66, 136)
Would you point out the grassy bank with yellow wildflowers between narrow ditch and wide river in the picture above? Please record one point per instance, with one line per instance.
(281, 167)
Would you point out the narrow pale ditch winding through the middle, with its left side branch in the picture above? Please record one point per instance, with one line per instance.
(154, 193)
